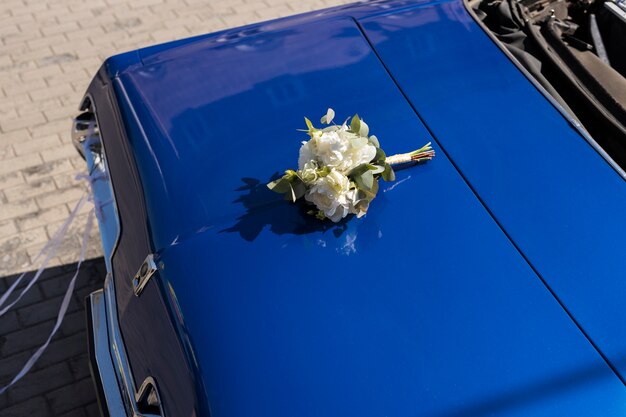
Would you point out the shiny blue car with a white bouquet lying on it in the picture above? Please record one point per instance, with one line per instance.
(489, 281)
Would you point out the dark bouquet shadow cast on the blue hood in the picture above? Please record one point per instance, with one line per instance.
(266, 208)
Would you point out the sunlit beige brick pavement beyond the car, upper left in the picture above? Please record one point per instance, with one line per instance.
(48, 53)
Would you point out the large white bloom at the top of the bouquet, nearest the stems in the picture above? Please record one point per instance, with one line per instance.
(336, 148)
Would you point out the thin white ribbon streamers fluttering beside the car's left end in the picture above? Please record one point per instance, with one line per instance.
(66, 299)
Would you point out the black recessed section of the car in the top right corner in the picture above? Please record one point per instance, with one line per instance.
(575, 50)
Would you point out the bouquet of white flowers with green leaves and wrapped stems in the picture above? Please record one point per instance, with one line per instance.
(339, 167)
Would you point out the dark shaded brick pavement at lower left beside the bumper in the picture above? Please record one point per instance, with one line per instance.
(59, 385)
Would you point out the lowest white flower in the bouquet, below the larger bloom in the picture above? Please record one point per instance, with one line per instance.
(331, 194)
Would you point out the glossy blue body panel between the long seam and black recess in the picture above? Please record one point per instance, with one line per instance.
(558, 200)
